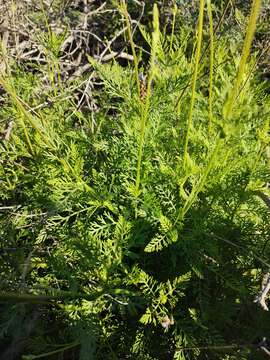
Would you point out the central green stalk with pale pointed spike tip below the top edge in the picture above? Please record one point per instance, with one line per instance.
(146, 105)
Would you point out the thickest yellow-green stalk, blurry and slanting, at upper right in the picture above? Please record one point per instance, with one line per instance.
(245, 54)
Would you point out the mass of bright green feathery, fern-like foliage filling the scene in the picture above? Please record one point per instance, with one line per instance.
(108, 267)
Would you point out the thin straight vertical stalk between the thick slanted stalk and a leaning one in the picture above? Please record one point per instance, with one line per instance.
(211, 67)
